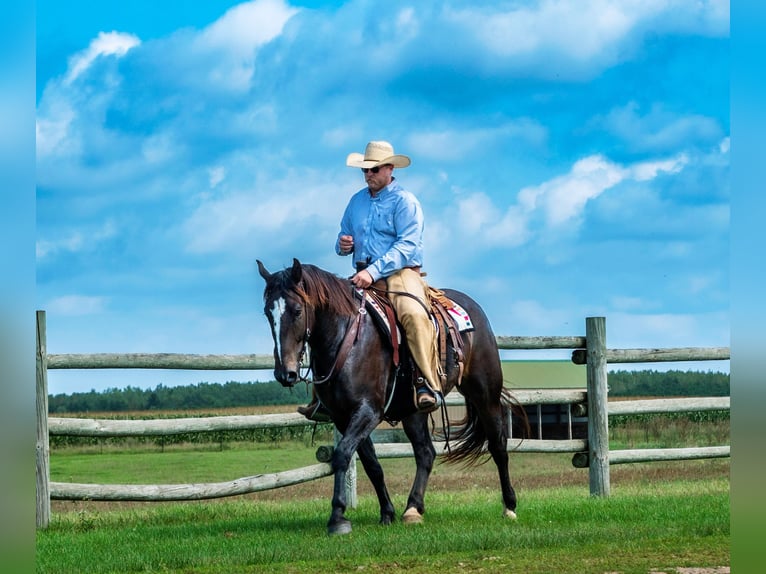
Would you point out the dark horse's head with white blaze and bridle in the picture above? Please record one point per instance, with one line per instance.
(285, 307)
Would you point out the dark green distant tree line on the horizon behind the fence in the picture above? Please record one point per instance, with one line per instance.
(205, 395)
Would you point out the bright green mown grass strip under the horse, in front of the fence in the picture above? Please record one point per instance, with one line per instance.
(684, 523)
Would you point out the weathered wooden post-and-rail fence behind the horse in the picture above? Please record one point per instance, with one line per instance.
(592, 452)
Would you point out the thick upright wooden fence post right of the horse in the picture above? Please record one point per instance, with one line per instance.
(598, 418)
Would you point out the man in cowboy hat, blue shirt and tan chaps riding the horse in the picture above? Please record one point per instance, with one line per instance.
(382, 229)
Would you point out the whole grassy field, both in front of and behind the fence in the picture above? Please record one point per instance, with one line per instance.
(660, 516)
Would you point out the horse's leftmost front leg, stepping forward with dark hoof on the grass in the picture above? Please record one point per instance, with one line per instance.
(361, 424)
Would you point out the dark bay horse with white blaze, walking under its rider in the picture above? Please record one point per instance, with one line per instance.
(309, 307)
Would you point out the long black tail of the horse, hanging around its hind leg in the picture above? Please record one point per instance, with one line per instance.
(470, 436)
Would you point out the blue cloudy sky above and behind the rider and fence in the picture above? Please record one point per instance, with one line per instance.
(572, 159)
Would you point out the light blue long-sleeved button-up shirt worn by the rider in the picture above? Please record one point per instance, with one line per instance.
(387, 228)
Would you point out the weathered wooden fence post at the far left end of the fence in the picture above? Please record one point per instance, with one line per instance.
(42, 450)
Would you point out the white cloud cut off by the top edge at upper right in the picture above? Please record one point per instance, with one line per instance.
(560, 38)
